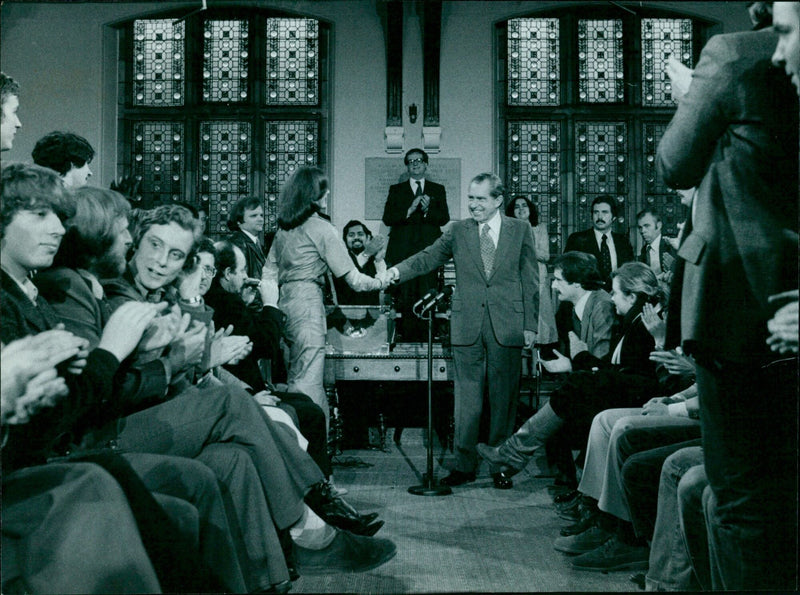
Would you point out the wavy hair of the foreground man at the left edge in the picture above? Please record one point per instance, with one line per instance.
(25, 187)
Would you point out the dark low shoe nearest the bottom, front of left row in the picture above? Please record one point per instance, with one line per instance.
(346, 553)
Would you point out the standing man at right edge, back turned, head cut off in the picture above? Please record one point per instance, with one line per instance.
(735, 136)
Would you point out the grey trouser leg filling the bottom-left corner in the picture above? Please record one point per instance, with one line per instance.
(67, 528)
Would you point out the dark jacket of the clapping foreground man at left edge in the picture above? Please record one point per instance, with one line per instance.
(90, 401)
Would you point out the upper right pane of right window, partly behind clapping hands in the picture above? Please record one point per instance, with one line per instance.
(662, 38)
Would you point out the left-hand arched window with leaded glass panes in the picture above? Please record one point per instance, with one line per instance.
(220, 105)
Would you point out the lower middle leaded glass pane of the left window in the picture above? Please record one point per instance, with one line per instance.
(225, 169)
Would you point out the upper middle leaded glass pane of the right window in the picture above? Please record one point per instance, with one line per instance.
(600, 63)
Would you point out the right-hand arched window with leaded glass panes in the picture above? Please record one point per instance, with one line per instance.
(583, 101)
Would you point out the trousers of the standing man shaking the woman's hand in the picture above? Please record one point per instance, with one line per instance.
(484, 364)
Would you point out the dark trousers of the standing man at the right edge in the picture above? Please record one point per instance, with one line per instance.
(749, 417)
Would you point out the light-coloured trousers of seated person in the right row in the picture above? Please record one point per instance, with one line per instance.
(602, 471)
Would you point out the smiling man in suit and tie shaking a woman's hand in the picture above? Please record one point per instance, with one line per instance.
(495, 312)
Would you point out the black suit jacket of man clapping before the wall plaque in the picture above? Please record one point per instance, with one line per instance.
(409, 235)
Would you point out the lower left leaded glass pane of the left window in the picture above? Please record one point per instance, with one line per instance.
(157, 156)
